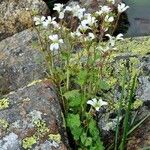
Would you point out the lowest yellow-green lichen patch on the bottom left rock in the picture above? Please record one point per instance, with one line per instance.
(28, 142)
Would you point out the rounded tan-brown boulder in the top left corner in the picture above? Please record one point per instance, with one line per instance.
(15, 15)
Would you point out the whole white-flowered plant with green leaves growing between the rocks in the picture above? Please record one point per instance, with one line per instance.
(79, 64)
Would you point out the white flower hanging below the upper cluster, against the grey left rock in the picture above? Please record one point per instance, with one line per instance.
(56, 42)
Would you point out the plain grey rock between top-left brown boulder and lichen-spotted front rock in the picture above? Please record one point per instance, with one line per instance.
(20, 63)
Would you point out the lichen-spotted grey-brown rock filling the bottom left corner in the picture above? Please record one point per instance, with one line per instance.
(33, 113)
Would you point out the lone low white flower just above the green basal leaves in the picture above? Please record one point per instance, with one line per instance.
(97, 104)
